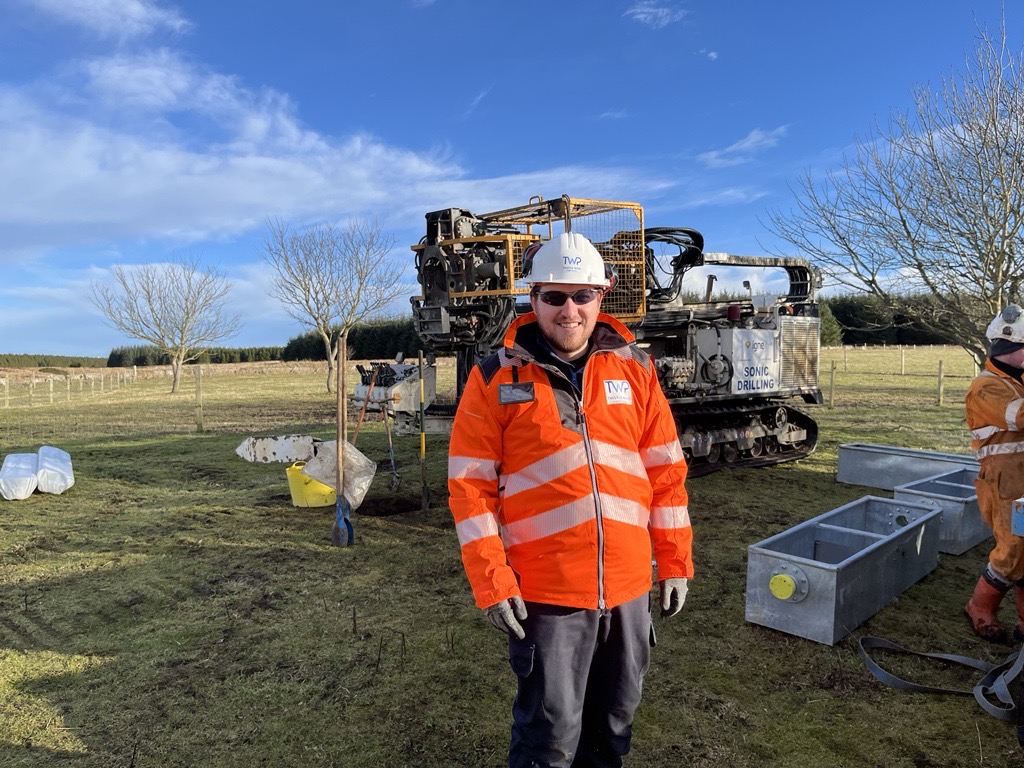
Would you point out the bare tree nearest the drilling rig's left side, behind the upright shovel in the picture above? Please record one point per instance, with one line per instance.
(332, 278)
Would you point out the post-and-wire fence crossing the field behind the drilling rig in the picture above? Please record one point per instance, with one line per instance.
(62, 405)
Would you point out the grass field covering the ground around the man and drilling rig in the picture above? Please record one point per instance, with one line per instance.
(174, 609)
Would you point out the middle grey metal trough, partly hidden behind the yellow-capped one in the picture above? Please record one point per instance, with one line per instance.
(955, 493)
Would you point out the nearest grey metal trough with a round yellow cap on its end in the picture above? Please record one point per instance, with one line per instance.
(823, 579)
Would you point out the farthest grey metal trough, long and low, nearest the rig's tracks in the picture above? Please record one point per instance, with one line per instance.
(885, 467)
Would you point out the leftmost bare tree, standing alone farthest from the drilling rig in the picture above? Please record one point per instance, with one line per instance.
(179, 308)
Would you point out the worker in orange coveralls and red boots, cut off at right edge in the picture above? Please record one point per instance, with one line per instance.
(996, 417)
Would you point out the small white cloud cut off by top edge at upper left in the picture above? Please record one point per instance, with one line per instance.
(115, 19)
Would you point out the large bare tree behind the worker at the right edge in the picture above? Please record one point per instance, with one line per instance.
(928, 214)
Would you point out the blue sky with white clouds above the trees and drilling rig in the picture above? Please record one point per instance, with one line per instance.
(134, 132)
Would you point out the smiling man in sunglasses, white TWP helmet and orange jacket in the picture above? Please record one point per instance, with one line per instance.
(567, 480)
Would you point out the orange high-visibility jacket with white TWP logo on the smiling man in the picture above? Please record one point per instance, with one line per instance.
(566, 501)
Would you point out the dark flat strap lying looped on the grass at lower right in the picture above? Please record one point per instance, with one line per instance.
(995, 684)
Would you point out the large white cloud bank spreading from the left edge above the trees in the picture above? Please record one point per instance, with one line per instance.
(165, 150)
